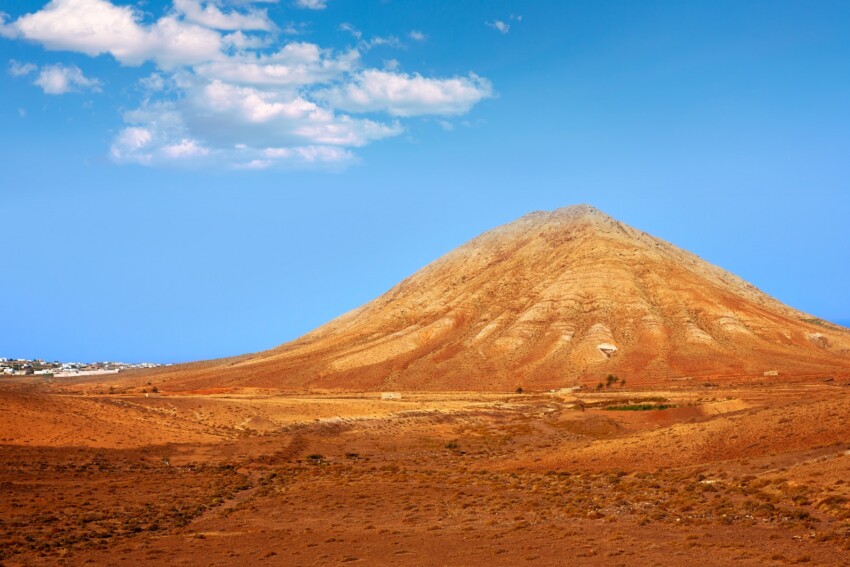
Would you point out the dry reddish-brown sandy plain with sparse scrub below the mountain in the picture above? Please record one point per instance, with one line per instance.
(751, 475)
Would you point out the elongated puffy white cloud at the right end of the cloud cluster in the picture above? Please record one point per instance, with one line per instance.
(401, 94)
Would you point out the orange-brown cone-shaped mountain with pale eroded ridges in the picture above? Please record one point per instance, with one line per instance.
(550, 300)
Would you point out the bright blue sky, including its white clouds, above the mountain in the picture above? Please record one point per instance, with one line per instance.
(193, 179)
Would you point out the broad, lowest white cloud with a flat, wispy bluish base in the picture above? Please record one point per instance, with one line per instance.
(219, 123)
